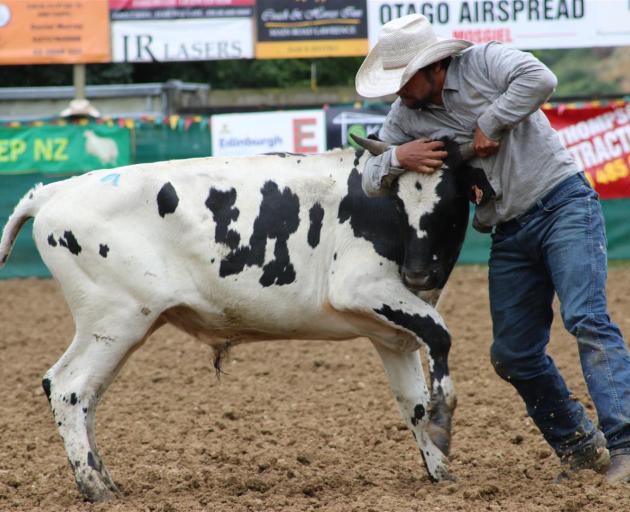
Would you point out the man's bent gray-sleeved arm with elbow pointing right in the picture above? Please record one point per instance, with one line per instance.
(526, 84)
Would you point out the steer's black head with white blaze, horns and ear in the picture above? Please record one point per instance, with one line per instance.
(436, 206)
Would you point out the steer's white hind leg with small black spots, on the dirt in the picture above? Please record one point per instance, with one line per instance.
(75, 384)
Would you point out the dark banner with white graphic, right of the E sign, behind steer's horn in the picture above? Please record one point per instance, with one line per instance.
(341, 122)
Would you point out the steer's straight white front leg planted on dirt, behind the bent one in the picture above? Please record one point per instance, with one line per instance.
(406, 380)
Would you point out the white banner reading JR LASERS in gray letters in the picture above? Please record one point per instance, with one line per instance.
(182, 39)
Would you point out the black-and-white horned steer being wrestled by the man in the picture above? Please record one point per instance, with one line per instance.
(233, 250)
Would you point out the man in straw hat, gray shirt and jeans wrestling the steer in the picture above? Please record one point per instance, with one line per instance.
(546, 222)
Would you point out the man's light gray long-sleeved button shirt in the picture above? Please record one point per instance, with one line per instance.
(500, 89)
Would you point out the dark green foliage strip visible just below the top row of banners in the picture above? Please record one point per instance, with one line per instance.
(577, 72)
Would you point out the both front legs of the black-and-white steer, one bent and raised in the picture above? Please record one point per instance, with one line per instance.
(398, 322)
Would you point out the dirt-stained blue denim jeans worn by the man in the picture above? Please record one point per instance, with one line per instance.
(559, 246)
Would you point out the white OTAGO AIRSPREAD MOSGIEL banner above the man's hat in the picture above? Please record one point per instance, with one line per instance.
(525, 24)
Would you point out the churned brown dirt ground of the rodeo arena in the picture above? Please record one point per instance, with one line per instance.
(292, 426)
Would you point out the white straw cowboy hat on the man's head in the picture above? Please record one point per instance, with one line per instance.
(404, 46)
